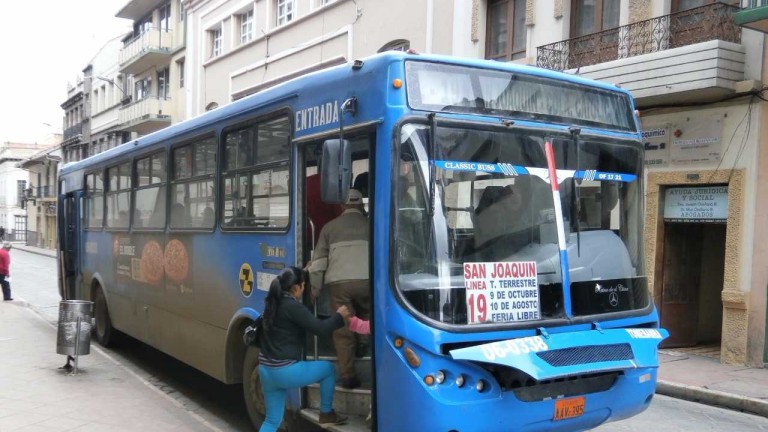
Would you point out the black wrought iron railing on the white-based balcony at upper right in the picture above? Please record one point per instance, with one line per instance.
(711, 22)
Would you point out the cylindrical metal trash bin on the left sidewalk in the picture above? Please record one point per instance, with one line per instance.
(72, 313)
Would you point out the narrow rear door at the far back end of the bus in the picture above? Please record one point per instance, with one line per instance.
(68, 251)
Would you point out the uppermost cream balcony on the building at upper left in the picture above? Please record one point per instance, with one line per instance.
(146, 50)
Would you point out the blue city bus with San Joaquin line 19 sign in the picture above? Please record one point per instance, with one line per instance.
(507, 269)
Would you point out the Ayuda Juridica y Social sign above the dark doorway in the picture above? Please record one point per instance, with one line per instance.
(696, 204)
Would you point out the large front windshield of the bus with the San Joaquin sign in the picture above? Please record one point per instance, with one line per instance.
(476, 226)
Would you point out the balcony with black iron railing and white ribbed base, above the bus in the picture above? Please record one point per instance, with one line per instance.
(694, 55)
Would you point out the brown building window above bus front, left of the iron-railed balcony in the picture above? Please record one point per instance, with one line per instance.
(506, 32)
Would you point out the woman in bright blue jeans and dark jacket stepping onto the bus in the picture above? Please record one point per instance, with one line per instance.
(281, 359)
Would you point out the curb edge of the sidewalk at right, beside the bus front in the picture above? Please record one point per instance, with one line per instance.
(713, 397)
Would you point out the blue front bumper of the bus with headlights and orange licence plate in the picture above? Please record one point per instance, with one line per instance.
(577, 356)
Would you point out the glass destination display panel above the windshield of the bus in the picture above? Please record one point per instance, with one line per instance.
(461, 89)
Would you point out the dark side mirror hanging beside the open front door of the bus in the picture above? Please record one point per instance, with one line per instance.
(335, 171)
